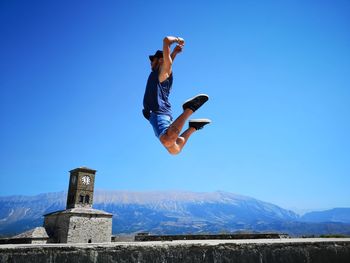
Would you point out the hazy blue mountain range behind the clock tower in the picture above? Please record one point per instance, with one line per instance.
(177, 213)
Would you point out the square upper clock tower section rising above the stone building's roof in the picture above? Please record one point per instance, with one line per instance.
(81, 188)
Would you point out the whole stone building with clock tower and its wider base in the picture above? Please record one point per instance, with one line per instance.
(79, 223)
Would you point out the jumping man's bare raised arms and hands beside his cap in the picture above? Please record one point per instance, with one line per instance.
(167, 57)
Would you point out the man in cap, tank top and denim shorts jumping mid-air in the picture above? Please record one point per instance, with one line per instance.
(157, 108)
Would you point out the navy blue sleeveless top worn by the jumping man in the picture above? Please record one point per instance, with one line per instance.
(156, 98)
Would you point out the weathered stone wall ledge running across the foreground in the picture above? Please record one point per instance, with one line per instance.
(243, 251)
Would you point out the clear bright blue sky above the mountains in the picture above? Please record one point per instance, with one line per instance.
(73, 74)
